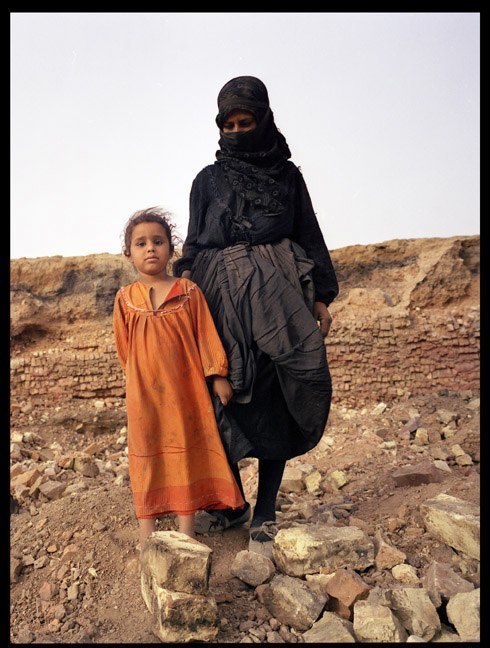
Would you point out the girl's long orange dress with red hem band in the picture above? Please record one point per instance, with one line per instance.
(177, 463)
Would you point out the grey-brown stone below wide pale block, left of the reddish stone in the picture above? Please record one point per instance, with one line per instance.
(292, 602)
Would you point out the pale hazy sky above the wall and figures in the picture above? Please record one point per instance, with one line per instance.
(114, 112)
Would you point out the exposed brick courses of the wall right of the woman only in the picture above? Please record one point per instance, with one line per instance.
(408, 354)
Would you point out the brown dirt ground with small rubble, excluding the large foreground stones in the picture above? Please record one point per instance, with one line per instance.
(74, 555)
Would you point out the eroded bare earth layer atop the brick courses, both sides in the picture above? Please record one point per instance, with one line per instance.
(47, 292)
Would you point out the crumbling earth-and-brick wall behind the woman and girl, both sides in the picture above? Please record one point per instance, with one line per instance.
(406, 322)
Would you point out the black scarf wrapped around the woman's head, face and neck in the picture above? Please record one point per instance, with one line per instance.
(253, 162)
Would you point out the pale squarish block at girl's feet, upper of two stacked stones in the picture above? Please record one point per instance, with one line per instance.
(177, 562)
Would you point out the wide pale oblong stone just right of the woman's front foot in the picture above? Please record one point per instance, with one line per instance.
(311, 549)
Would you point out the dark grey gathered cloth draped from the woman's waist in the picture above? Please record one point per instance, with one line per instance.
(261, 299)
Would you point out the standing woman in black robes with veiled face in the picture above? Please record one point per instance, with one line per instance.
(255, 248)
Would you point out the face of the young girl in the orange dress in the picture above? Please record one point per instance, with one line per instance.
(150, 249)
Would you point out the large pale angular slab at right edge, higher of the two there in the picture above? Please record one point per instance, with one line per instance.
(455, 522)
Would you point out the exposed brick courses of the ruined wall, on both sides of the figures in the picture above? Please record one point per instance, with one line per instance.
(370, 358)
